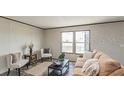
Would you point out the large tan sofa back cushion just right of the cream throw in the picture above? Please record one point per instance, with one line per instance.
(107, 65)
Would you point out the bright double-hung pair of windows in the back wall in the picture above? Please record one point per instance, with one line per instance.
(75, 42)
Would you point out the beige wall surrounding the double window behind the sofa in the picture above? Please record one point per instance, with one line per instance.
(108, 38)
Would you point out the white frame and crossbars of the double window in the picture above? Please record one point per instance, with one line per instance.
(74, 41)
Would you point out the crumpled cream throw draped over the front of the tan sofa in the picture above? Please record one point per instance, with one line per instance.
(91, 67)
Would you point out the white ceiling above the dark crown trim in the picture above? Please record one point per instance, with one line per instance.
(61, 21)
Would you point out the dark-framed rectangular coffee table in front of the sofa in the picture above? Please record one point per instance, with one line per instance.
(59, 70)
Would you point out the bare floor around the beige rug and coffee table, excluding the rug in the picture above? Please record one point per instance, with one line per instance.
(15, 73)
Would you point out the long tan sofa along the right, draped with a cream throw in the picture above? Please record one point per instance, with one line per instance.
(108, 66)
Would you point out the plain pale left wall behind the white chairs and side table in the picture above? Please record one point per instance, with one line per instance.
(13, 37)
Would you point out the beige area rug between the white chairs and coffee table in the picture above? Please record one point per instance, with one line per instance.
(39, 70)
